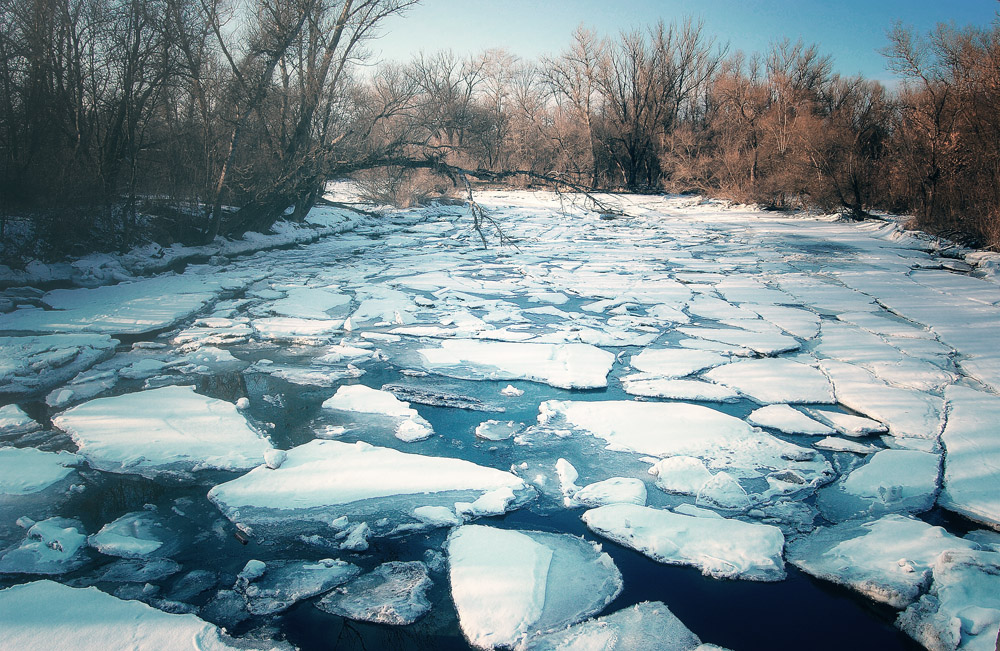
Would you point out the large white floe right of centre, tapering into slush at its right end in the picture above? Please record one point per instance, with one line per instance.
(665, 429)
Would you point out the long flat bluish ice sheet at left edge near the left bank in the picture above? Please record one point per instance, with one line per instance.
(128, 308)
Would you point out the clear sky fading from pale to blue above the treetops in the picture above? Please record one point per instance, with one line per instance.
(852, 31)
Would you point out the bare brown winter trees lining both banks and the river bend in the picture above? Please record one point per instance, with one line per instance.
(123, 120)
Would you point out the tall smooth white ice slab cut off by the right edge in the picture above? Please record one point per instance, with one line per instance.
(972, 455)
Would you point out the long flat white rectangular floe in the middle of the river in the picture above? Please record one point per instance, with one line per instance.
(567, 366)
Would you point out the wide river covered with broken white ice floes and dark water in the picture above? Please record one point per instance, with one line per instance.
(684, 426)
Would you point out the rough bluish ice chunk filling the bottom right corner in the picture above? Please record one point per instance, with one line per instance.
(962, 609)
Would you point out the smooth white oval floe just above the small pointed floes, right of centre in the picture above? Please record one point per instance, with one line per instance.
(775, 381)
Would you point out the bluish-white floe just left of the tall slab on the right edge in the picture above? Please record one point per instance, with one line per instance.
(897, 476)
